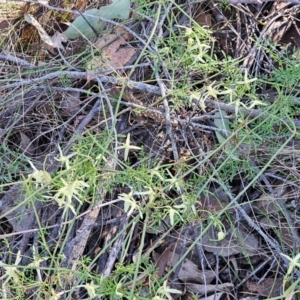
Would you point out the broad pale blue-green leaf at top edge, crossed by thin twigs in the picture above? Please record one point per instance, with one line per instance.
(90, 26)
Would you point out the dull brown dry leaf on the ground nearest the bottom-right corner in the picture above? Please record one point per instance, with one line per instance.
(268, 288)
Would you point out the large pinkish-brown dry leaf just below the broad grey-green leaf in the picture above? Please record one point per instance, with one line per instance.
(116, 55)
